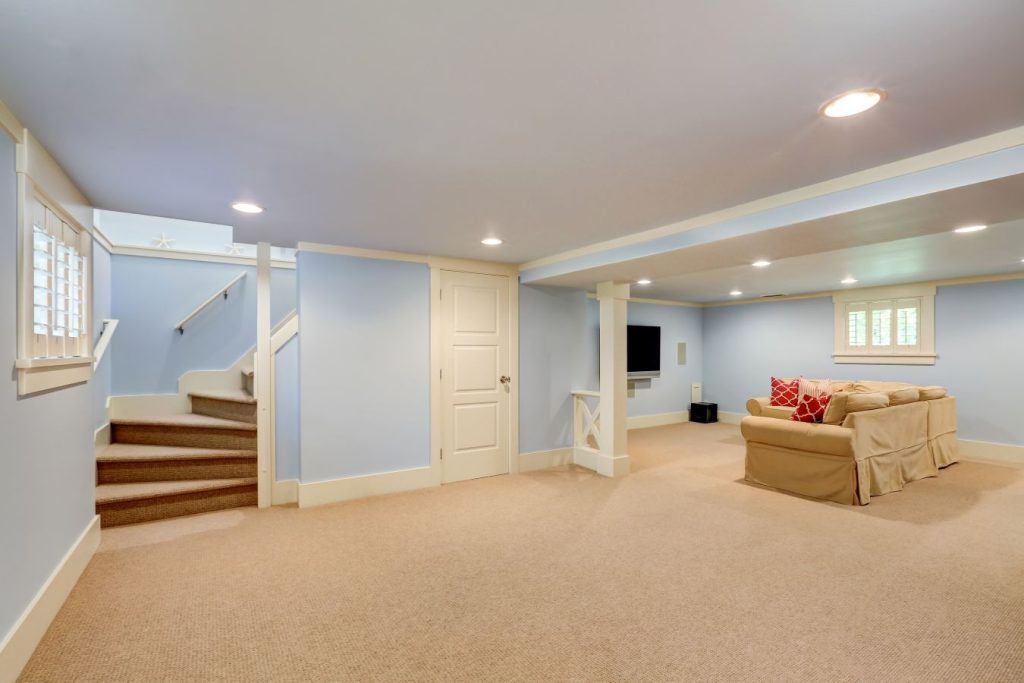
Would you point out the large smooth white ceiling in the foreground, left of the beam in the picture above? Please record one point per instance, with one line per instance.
(424, 127)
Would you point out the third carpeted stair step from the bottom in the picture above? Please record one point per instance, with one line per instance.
(199, 432)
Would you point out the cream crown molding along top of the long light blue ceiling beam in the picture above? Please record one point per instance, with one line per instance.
(976, 148)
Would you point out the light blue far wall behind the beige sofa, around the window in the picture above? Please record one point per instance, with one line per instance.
(979, 334)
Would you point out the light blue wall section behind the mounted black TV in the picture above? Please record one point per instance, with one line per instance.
(671, 392)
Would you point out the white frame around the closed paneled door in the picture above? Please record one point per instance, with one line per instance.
(437, 407)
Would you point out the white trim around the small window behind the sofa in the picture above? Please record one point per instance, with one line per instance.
(924, 356)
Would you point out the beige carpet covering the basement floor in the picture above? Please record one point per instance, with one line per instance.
(679, 572)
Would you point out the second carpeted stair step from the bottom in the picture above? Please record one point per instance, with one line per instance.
(127, 463)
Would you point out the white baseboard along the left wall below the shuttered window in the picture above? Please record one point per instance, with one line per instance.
(23, 638)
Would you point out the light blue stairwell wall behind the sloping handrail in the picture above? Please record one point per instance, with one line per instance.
(152, 295)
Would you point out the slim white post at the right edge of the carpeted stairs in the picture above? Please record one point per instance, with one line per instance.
(264, 381)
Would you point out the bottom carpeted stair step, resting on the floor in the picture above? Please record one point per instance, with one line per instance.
(131, 503)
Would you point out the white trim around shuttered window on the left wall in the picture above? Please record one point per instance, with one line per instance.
(34, 374)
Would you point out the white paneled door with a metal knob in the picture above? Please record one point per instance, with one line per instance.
(475, 375)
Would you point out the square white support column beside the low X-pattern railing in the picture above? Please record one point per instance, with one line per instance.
(614, 460)
